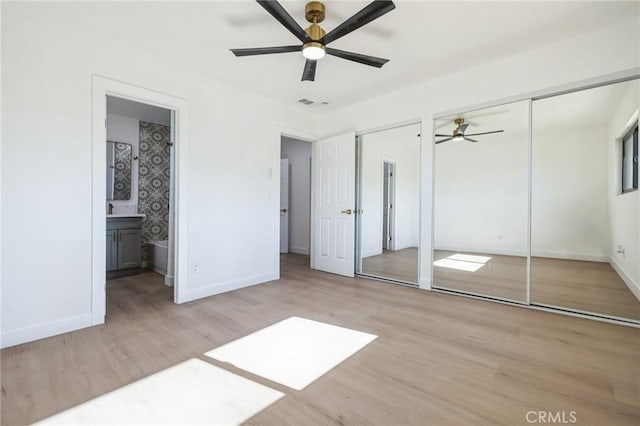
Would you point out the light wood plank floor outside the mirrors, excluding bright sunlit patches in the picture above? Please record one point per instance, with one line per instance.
(439, 360)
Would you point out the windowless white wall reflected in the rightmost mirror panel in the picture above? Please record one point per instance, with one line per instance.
(569, 214)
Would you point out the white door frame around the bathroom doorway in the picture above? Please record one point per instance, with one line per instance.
(101, 88)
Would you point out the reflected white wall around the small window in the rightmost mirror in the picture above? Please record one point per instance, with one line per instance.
(624, 209)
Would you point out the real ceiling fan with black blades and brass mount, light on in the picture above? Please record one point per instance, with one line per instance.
(314, 39)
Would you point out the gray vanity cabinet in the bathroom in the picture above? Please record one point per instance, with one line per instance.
(124, 246)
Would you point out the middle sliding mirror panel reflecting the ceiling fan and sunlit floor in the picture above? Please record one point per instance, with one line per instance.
(481, 202)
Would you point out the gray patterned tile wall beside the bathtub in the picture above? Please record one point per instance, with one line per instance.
(153, 183)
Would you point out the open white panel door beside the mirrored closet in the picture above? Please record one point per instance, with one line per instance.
(333, 181)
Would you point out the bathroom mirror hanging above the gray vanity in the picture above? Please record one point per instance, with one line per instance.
(118, 171)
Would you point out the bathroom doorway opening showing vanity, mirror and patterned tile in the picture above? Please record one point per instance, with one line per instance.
(139, 198)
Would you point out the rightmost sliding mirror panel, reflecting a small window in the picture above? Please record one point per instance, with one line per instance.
(585, 213)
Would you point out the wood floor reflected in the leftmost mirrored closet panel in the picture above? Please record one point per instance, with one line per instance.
(399, 265)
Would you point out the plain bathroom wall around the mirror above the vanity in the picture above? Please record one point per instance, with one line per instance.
(126, 130)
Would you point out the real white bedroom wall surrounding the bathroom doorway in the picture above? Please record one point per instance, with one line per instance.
(48, 59)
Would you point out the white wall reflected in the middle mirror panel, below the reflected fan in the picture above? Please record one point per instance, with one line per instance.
(481, 189)
